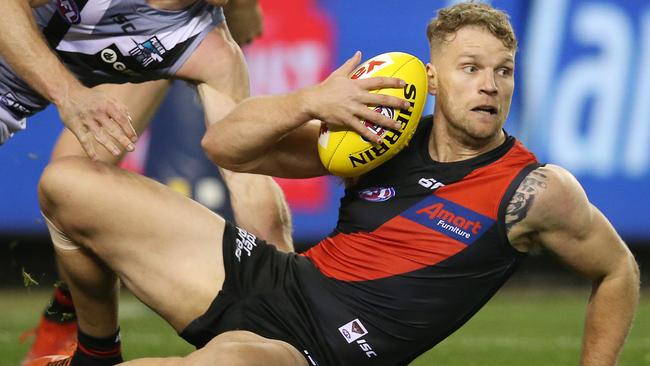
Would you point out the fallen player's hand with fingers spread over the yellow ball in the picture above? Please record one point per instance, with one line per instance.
(340, 100)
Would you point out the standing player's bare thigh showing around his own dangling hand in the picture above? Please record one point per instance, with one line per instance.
(142, 101)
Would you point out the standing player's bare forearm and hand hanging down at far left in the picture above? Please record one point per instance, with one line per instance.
(89, 114)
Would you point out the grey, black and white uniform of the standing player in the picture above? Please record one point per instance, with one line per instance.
(107, 41)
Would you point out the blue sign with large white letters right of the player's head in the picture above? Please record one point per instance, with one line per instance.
(585, 100)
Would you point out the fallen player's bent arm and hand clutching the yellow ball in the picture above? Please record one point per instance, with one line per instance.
(277, 135)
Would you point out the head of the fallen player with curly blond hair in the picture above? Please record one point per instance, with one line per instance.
(471, 71)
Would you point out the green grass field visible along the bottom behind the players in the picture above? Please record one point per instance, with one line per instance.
(520, 326)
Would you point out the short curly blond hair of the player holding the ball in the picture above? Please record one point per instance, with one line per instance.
(450, 19)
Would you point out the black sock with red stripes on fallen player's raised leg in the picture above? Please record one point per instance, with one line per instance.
(93, 351)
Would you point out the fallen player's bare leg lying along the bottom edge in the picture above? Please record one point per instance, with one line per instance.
(235, 348)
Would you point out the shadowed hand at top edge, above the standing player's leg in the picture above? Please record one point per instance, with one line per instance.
(244, 18)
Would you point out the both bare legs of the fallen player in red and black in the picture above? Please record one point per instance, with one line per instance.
(163, 246)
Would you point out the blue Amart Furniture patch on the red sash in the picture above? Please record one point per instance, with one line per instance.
(450, 219)
